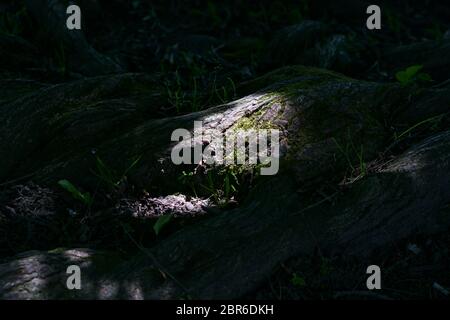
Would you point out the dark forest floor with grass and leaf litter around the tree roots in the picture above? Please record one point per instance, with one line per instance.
(195, 57)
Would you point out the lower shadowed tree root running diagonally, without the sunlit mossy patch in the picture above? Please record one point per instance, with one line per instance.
(232, 253)
